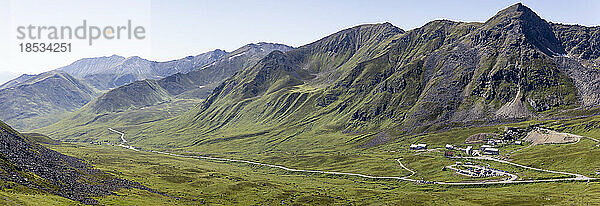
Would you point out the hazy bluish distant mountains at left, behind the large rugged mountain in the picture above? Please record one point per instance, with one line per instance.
(35, 101)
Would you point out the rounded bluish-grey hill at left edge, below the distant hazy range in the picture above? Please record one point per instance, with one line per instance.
(30, 102)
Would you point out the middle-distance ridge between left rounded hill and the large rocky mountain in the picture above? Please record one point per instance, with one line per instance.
(148, 101)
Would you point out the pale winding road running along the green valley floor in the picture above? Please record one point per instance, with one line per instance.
(404, 178)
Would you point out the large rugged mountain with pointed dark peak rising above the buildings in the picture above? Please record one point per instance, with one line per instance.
(513, 67)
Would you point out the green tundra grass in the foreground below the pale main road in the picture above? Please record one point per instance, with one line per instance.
(191, 182)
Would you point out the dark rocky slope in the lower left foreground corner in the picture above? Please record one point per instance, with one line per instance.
(29, 164)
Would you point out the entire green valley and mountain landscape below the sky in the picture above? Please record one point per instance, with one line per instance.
(501, 112)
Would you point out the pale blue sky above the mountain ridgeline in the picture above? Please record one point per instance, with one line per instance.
(178, 28)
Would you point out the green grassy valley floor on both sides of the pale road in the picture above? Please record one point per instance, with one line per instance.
(189, 181)
